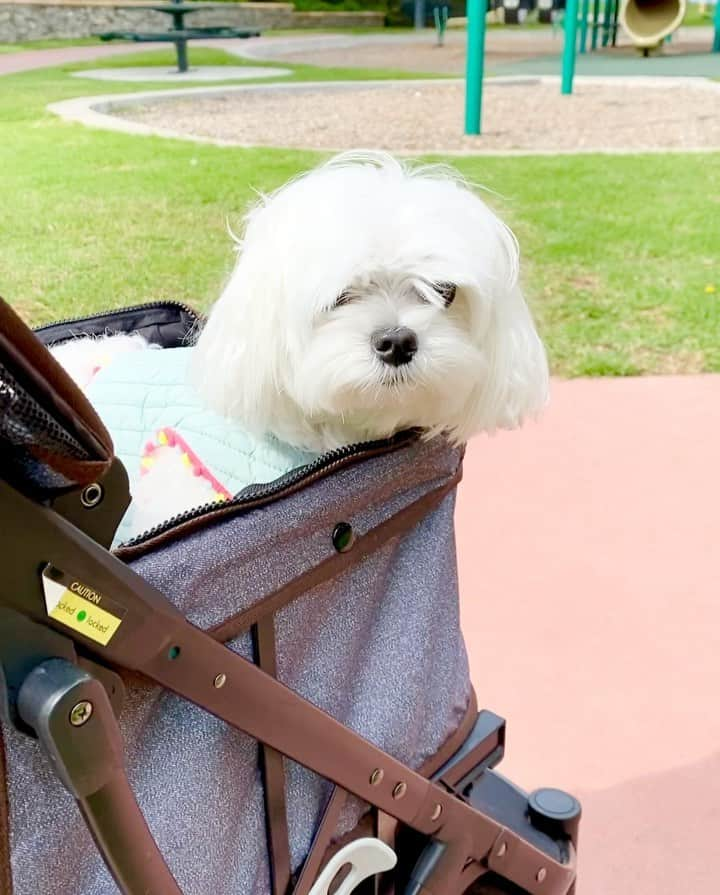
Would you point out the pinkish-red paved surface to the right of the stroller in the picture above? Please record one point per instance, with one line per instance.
(589, 548)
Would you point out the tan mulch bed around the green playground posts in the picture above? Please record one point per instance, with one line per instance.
(427, 117)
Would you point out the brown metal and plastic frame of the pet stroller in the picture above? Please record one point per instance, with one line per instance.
(62, 494)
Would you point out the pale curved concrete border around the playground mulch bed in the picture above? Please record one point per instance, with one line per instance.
(96, 111)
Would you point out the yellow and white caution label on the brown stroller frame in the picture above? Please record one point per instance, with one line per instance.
(76, 607)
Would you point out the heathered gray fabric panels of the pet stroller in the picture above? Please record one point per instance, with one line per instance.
(378, 647)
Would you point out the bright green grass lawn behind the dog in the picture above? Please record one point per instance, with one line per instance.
(622, 253)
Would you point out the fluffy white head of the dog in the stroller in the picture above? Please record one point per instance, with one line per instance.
(369, 297)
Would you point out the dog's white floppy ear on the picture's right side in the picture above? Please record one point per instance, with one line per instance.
(514, 383)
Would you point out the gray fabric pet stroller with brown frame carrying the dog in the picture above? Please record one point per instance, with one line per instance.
(267, 696)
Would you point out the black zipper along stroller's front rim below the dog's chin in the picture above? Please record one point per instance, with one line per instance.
(256, 495)
